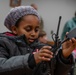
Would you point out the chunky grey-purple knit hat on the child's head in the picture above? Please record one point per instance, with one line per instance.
(18, 12)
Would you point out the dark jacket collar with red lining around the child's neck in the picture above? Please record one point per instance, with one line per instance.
(21, 40)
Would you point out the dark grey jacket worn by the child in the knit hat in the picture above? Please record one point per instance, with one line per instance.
(16, 58)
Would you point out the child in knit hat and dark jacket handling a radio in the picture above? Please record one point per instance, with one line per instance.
(20, 53)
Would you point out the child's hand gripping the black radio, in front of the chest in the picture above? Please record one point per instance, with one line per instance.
(44, 54)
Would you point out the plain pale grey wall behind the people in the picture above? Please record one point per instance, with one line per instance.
(50, 10)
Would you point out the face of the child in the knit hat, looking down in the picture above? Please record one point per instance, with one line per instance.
(30, 27)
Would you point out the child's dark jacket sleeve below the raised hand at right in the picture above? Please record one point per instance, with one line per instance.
(63, 65)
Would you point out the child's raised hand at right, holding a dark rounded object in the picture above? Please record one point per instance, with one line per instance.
(68, 47)
